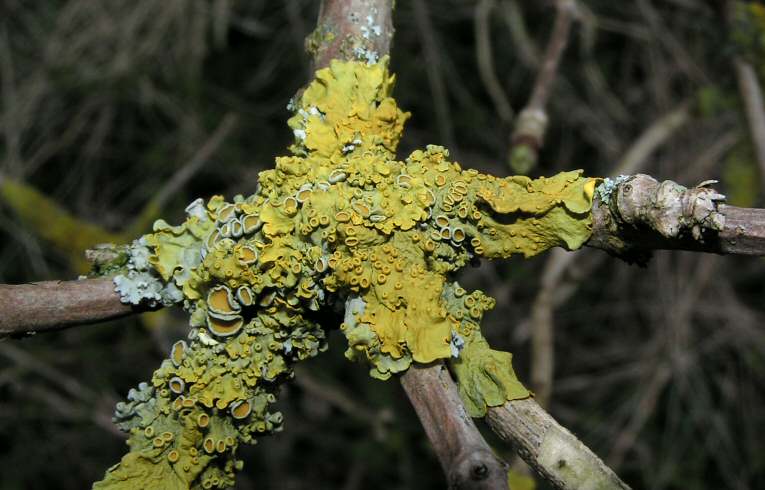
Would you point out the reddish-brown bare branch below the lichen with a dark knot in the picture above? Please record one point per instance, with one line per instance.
(467, 460)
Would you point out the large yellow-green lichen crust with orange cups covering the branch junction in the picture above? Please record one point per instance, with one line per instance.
(340, 222)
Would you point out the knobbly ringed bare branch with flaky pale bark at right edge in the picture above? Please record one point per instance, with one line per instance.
(633, 215)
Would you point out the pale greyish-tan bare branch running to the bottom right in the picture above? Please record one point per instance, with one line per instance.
(554, 452)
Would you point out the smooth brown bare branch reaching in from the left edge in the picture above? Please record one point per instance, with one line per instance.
(26, 309)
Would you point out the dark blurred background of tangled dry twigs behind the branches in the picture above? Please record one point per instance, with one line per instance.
(105, 105)
